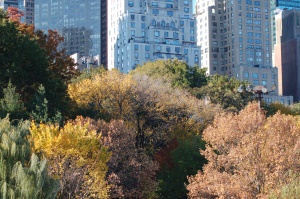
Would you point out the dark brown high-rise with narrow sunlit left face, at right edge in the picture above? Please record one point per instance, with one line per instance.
(287, 52)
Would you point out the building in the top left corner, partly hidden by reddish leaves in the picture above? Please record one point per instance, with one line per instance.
(26, 6)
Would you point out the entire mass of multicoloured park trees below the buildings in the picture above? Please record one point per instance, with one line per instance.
(165, 130)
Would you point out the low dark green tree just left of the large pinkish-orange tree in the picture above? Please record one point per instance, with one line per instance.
(181, 161)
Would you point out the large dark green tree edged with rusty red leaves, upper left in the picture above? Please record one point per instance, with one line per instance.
(41, 63)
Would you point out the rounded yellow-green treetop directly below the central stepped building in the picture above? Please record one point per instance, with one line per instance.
(174, 72)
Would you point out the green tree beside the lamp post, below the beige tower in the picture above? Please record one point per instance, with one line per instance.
(224, 91)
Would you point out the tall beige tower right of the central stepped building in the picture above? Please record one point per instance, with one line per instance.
(235, 39)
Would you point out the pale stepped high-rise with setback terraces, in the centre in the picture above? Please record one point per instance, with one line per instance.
(142, 30)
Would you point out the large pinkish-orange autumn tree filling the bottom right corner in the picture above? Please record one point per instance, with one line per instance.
(248, 155)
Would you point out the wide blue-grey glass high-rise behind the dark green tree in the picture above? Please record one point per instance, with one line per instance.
(81, 23)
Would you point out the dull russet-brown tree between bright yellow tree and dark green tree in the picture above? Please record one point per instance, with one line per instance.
(131, 173)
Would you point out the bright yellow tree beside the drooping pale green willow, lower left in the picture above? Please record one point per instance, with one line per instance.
(74, 146)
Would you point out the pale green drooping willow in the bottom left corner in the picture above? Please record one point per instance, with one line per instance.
(22, 174)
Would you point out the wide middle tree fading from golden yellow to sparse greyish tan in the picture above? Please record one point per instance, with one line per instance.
(154, 109)
